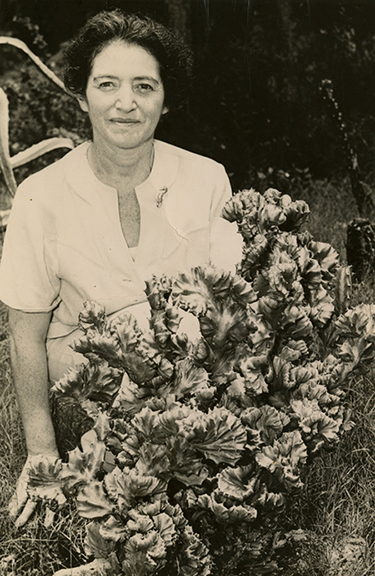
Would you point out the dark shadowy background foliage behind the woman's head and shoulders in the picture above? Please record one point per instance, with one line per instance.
(256, 102)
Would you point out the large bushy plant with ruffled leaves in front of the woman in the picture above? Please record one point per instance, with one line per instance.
(201, 426)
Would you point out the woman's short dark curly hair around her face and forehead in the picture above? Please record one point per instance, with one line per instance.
(172, 54)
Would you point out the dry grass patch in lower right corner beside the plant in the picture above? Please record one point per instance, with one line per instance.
(338, 502)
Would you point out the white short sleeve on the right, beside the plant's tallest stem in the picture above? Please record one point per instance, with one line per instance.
(225, 241)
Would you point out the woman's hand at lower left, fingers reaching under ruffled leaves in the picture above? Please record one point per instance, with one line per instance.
(21, 506)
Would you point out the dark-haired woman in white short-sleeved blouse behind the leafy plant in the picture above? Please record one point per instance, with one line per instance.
(102, 220)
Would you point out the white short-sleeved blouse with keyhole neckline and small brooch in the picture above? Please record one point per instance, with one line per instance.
(65, 245)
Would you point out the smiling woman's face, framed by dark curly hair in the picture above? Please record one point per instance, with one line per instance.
(124, 96)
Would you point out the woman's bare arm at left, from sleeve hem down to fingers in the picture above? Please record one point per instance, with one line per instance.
(30, 374)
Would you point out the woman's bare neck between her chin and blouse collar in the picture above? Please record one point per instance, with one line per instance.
(121, 168)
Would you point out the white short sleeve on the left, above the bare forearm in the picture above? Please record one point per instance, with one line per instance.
(28, 281)
